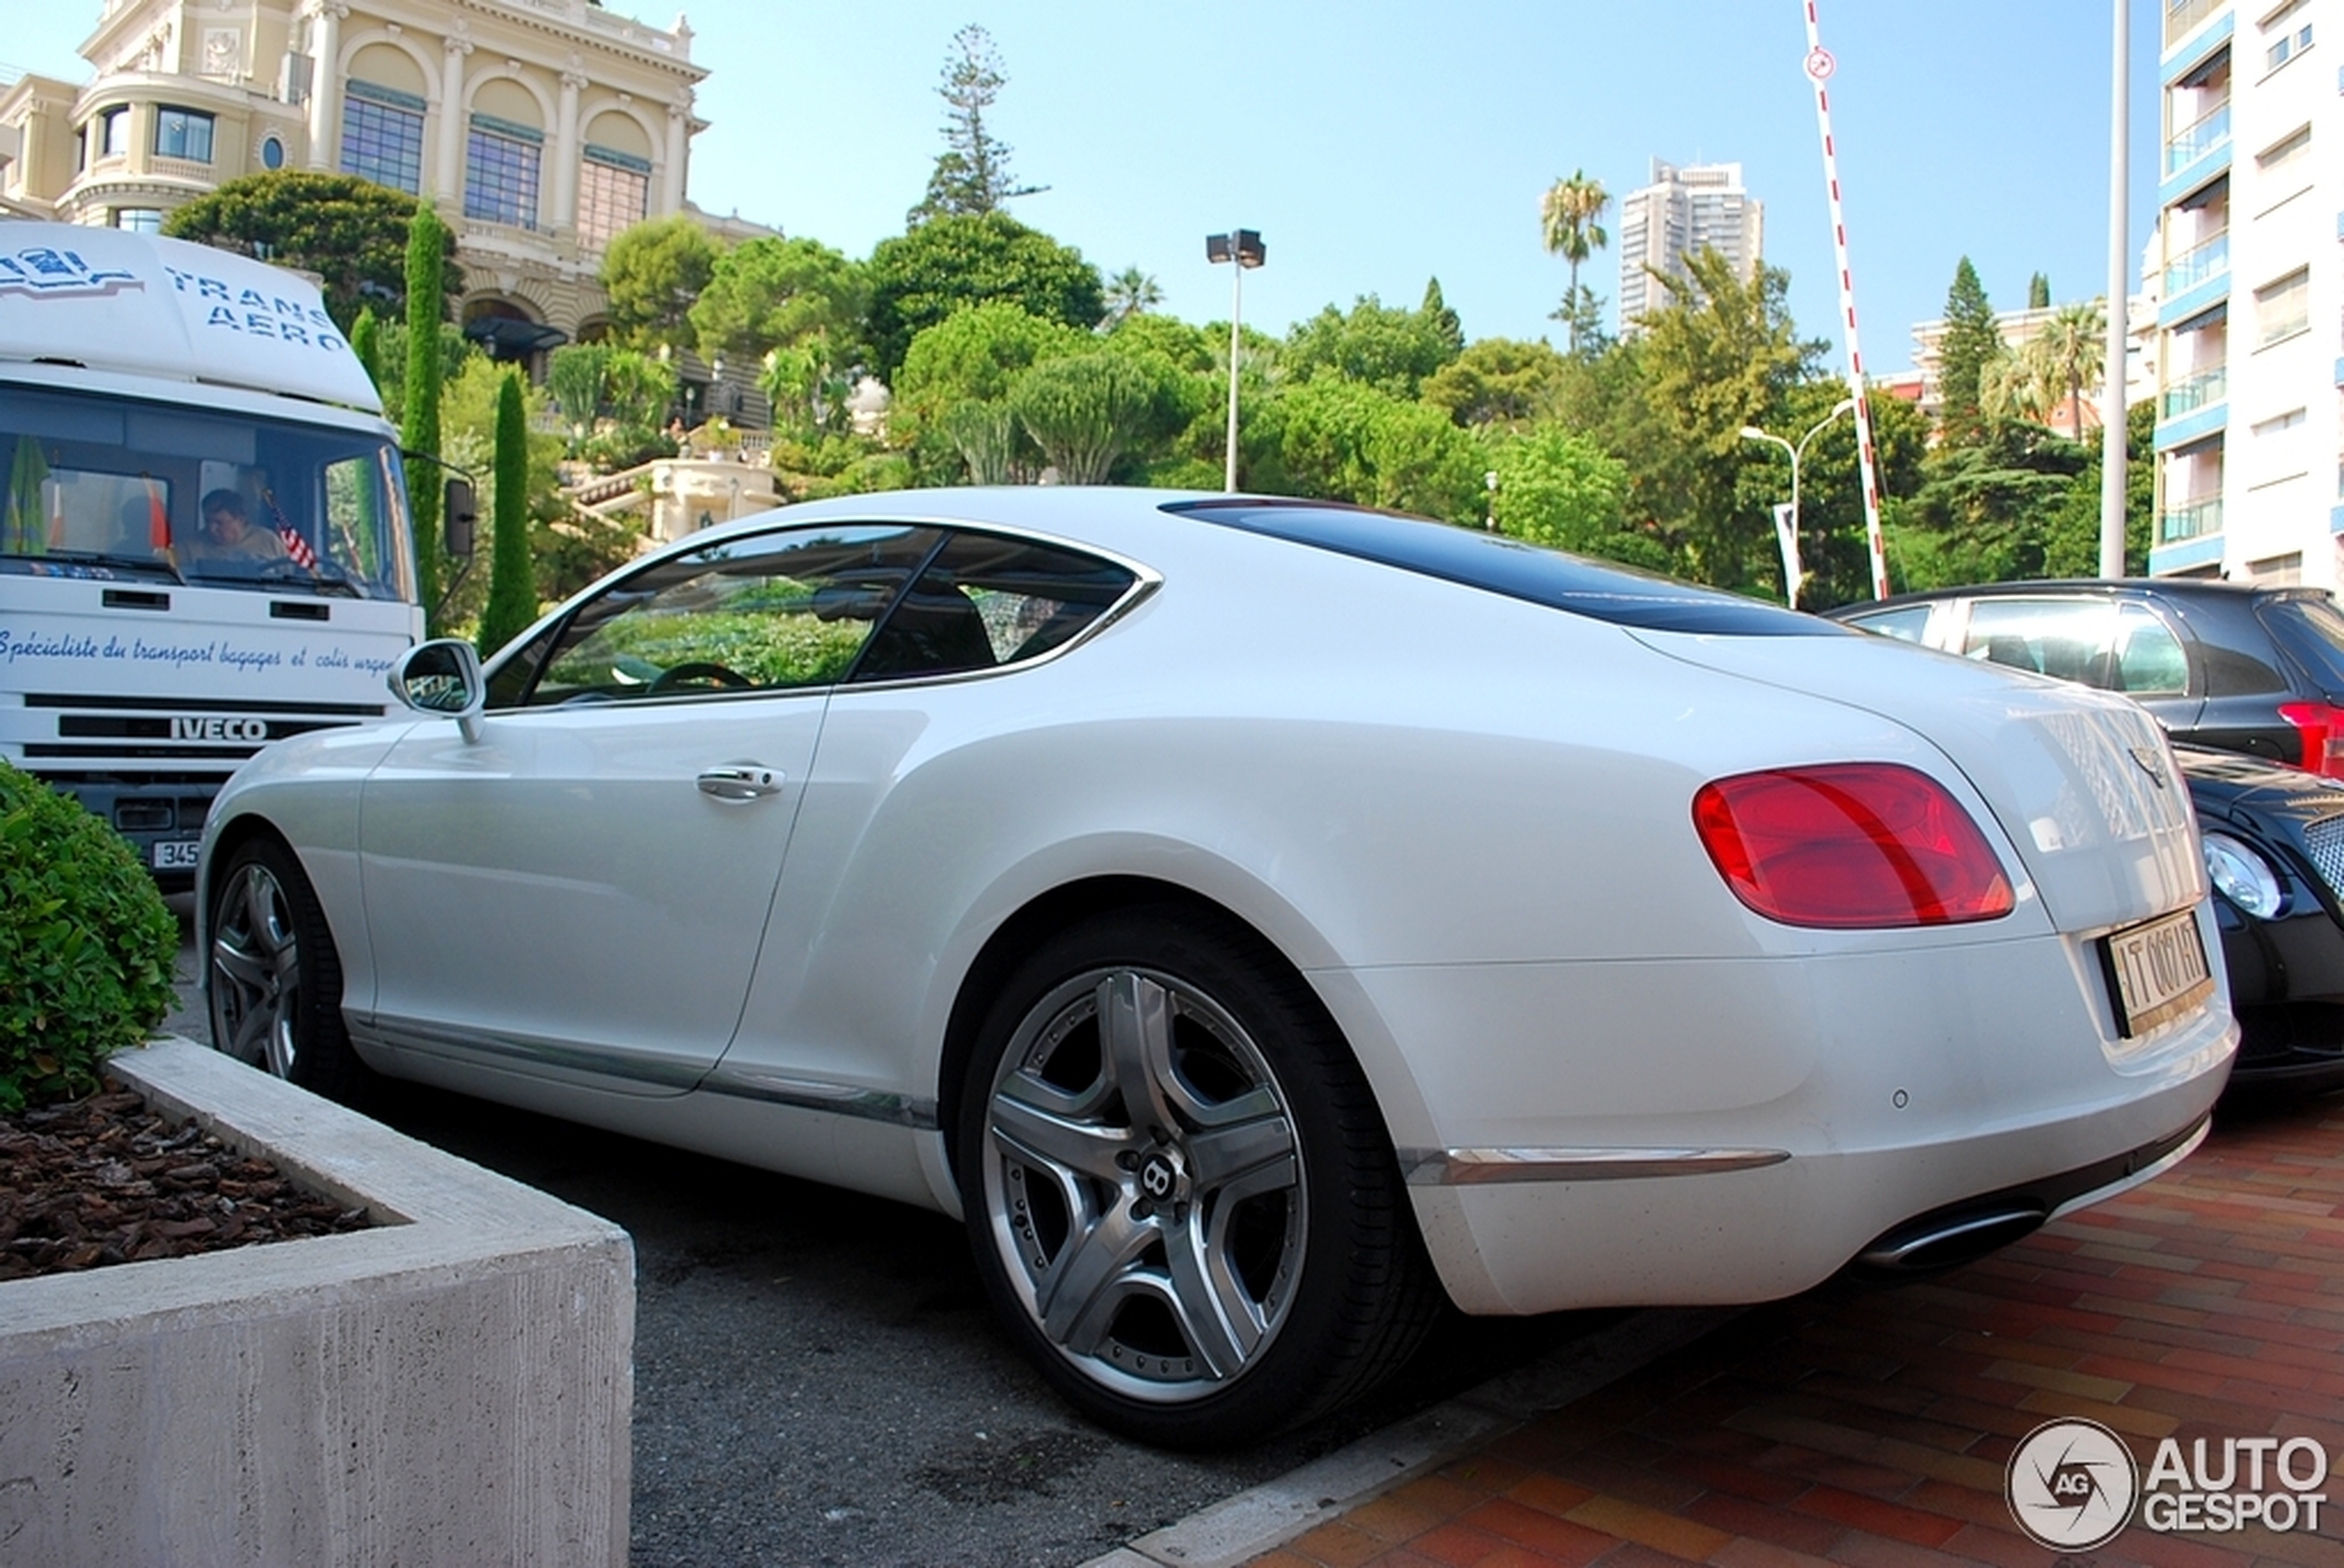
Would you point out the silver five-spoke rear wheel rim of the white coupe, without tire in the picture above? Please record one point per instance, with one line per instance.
(1145, 1185)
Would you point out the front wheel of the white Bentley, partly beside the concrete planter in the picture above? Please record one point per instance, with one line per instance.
(275, 979)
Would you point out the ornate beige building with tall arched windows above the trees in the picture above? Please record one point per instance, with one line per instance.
(540, 128)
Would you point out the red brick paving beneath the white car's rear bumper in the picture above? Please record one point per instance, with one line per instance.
(1872, 1426)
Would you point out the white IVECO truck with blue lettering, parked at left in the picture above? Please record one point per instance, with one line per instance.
(149, 388)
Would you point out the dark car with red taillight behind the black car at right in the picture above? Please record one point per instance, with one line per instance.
(2221, 664)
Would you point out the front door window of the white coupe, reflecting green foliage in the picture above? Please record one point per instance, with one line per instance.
(775, 611)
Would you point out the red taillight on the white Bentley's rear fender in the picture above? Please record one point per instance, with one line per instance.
(1851, 845)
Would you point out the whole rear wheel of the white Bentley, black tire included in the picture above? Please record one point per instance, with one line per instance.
(1178, 1185)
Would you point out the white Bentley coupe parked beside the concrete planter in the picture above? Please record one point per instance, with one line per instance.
(1255, 918)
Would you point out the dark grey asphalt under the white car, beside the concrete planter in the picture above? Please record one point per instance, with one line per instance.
(819, 1379)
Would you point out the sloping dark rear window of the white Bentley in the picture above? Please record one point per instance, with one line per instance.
(1595, 589)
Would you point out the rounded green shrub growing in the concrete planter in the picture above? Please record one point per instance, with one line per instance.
(86, 946)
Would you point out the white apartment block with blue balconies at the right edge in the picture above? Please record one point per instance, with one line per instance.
(2251, 217)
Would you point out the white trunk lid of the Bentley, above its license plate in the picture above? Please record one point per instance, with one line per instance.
(2083, 782)
